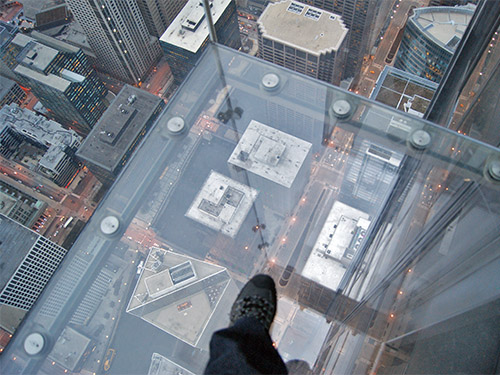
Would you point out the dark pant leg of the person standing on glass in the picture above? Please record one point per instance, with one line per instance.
(244, 348)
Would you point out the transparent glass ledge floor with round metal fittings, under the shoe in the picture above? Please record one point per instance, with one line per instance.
(380, 229)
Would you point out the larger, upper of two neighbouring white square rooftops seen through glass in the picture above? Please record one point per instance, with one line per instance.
(270, 153)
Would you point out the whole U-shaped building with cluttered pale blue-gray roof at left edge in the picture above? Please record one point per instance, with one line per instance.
(43, 145)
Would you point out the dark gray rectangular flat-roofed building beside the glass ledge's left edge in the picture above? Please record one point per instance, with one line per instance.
(119, 131)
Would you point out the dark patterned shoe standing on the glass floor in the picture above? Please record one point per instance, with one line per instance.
(257, 300)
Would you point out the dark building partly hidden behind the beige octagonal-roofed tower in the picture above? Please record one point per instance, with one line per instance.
(358, 16)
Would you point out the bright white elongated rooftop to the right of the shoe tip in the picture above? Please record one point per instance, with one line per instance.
(335, 236)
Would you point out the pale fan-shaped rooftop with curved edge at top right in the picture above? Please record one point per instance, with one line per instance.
(444, 25)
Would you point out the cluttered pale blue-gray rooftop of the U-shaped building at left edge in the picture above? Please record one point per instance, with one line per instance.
(46, 133)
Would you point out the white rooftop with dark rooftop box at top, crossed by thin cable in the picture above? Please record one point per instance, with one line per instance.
(189, 29)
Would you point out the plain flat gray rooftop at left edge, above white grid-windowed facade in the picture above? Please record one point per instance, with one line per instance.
(15, 242)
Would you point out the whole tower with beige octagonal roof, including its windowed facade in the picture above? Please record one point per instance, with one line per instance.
(302, 38)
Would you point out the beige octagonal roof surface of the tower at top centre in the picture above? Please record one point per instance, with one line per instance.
(302, 26)
